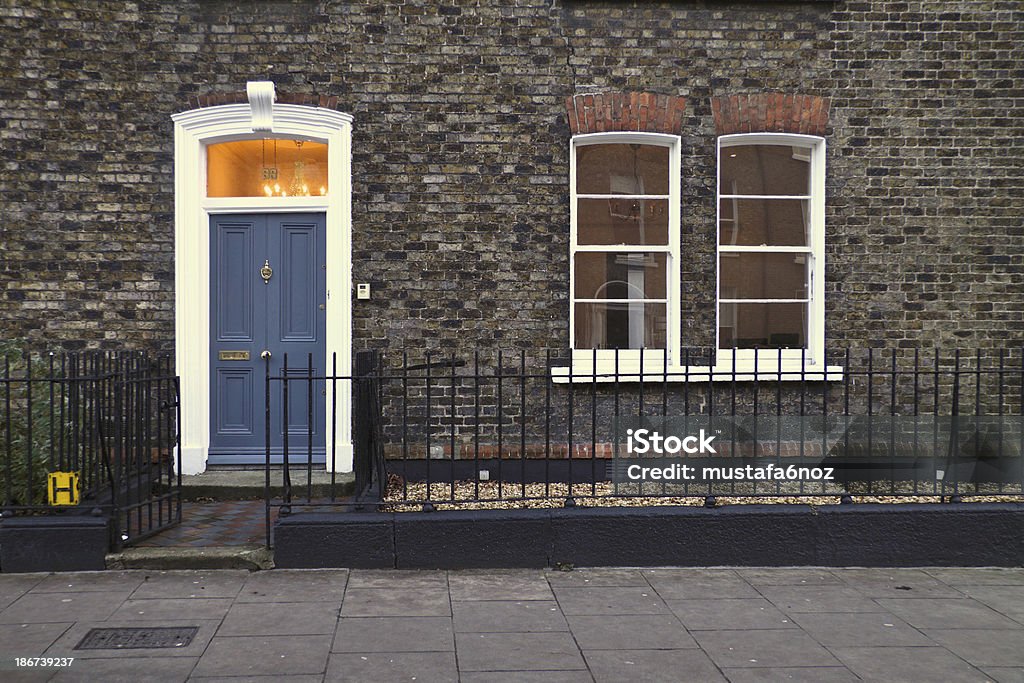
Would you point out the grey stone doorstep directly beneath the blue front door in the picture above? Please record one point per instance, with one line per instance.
(245, 485)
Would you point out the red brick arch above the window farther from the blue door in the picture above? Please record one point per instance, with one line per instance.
(771, 112)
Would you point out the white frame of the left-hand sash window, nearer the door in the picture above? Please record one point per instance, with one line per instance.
(608, 361)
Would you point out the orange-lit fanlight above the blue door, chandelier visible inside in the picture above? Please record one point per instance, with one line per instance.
(267, 168)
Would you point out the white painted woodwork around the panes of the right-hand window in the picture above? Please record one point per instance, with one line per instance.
(816, 351)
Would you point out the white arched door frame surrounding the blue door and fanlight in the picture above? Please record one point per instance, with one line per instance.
(194, 131)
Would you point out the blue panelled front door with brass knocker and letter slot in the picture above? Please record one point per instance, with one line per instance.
(268, 284)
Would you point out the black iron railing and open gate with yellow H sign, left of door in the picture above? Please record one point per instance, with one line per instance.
(109, 419)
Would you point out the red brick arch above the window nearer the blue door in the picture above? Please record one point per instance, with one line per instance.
(644, 112)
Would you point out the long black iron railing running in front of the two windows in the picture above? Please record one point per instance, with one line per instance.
(519, 429)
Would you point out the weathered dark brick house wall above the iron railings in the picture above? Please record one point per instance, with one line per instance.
(460, 154)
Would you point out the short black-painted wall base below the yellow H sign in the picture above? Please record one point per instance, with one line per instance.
(54, 544)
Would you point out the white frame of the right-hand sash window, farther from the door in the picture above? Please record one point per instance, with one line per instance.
(774, 361)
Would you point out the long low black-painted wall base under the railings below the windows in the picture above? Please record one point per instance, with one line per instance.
(911, 535)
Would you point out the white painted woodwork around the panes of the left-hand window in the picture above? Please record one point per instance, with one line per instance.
(653, 358)
